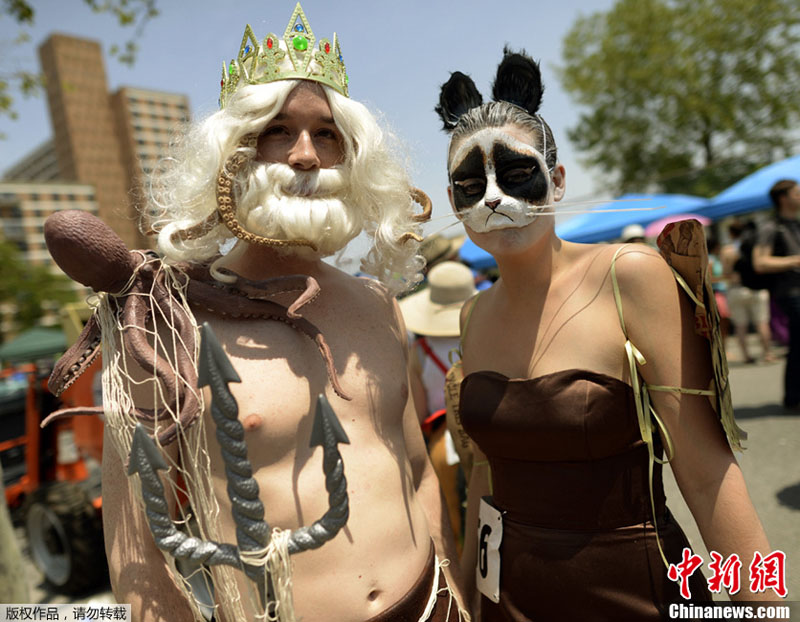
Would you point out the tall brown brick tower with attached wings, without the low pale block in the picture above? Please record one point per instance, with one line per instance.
(109, 141)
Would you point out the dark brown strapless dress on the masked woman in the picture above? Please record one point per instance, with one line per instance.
(570, 474)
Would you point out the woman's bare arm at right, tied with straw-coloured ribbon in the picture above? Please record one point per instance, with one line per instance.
(660, 322)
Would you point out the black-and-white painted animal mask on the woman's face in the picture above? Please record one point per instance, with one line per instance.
(498, 181)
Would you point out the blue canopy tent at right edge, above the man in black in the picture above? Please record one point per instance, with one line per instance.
(752, 192)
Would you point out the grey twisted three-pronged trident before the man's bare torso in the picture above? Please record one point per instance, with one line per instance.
(252, 530)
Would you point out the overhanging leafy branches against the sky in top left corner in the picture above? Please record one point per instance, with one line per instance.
(27, 82)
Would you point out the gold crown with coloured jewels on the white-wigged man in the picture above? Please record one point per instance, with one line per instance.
(260, 63)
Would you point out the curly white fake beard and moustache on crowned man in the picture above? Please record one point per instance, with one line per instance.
(286, 204)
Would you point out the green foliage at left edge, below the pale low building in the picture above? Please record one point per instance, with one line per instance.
(31, 289)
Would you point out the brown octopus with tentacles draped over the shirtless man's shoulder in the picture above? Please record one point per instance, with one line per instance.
(128, 276)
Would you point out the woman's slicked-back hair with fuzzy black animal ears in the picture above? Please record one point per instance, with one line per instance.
(517, 94)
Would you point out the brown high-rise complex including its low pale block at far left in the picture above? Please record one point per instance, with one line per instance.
(103, 147)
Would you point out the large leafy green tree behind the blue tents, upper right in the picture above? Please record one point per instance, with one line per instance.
(684, 95)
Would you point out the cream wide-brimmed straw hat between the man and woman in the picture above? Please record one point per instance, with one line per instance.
(434, 311)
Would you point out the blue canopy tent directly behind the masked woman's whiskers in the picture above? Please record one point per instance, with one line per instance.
(603, 226)
